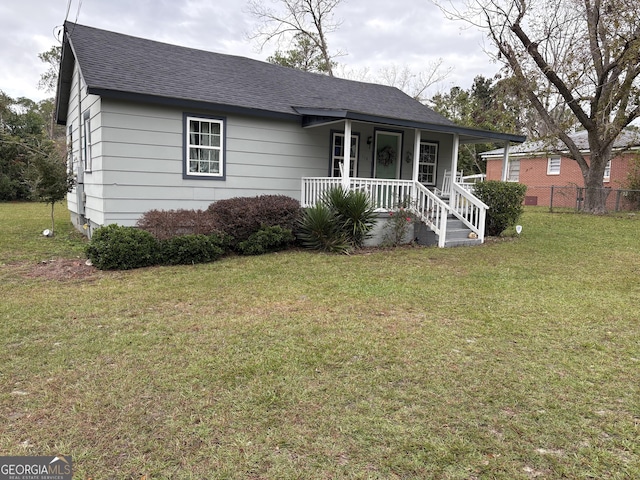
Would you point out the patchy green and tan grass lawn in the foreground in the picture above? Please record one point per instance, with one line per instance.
(518, 359)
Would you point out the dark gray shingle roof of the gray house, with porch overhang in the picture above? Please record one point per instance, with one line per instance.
(118, 65)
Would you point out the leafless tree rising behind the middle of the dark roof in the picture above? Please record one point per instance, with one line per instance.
(310, 19)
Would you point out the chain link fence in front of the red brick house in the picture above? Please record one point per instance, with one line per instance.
(572, 197)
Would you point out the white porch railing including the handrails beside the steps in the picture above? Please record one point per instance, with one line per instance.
(389, 194)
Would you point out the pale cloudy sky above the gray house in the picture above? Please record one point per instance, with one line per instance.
(373, 34)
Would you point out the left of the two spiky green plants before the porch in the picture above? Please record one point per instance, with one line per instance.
(320, 230)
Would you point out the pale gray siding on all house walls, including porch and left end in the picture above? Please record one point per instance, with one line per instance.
(137, 158)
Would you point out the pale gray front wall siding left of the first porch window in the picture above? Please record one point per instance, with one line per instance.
(142, 160)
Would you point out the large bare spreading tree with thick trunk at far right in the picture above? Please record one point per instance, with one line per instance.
(577, 56)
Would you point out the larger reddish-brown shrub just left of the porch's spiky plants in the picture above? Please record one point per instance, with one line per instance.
(242, 216)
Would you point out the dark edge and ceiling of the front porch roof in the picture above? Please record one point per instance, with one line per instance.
(316, 117)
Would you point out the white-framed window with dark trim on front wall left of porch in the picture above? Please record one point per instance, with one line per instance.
(204, 152)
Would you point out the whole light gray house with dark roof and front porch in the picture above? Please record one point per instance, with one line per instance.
(158, 126)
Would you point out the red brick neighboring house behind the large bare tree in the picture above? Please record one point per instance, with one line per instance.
(540, 166)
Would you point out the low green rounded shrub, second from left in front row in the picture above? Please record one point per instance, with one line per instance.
(190, 249)
